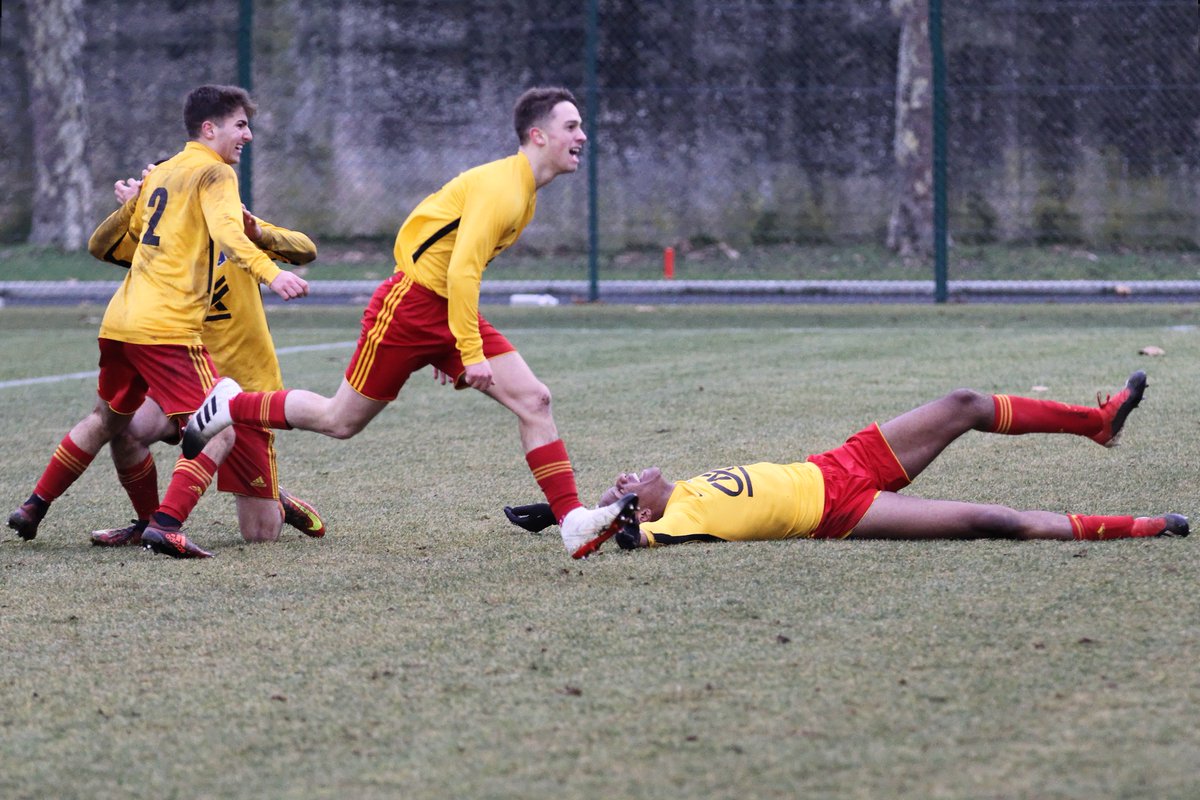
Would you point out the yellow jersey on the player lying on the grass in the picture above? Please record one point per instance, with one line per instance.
(748, 503)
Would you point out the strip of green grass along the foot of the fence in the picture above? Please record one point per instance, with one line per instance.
(373, 260)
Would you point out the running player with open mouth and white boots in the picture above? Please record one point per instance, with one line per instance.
(428, 314)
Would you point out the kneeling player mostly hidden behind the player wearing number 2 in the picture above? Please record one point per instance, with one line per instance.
(238, 339)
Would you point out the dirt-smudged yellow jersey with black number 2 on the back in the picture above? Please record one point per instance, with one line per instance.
(188, 213)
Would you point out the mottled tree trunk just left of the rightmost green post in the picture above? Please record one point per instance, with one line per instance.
(911, 226)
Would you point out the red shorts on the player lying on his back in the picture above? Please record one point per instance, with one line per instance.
(855, 474)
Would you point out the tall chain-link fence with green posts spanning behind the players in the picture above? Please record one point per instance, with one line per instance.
(766, 129)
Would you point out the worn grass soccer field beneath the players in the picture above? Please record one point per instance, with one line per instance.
(427, 648)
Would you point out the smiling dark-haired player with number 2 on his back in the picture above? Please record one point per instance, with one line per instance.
(151, 345)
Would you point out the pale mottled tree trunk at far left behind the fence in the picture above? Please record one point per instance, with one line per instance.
(62, 179)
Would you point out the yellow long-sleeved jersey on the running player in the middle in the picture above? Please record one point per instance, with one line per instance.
(448, 240)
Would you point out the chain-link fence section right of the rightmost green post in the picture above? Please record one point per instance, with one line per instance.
(1075, 123)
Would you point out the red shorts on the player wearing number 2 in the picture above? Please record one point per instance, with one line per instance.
(177, 377)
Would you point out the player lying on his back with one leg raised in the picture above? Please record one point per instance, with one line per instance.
(853, 490)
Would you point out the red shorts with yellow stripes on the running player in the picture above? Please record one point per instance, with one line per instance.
(406, 328)
